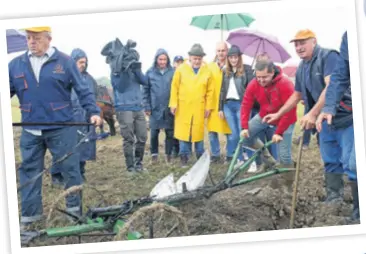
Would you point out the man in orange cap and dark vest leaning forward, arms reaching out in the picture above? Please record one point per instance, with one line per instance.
(312, 78)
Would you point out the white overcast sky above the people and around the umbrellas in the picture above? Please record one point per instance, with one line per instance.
(173, 33)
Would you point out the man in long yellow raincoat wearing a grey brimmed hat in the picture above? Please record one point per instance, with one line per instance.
(191, 101)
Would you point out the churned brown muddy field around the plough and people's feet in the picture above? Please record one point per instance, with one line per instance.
(258, 206)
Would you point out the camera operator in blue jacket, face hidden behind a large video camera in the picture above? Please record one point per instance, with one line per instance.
(127, 80)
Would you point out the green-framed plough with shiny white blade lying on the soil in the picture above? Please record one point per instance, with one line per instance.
(112, 219)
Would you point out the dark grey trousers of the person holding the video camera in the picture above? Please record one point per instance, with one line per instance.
(133, 127)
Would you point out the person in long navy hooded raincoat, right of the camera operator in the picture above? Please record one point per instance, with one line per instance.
(156, 96)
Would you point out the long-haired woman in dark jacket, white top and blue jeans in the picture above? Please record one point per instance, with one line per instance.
(236, 77)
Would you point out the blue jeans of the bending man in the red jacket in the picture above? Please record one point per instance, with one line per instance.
(285, 152)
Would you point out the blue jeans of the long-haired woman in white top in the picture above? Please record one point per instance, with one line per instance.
(232, 115)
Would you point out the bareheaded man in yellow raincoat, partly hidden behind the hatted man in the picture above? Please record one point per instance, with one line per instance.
(215, 124)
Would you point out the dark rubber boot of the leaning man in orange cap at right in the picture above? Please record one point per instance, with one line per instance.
(334, 185)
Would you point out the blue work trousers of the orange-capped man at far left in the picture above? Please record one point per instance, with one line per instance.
(33, 149)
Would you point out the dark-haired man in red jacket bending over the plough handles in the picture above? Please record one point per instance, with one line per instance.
(271, 89)
